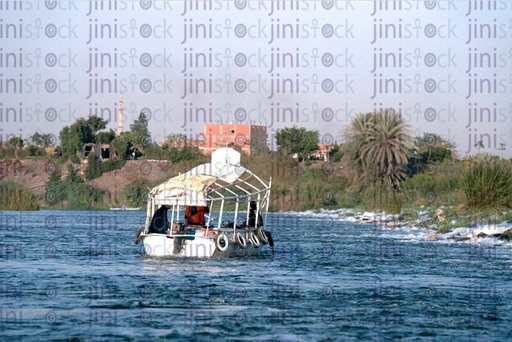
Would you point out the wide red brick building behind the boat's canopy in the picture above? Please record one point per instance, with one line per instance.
(249, 138)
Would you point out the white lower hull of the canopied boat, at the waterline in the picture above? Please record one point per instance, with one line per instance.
(199, 247)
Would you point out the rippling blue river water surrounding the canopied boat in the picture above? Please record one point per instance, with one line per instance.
(77, 274)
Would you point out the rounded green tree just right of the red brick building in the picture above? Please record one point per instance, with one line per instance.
(292, 140)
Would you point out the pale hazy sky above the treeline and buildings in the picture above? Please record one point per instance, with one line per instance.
(247, 61)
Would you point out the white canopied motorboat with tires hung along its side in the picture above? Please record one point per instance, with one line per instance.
(193, 230)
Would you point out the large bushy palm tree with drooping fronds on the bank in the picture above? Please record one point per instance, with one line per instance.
(379, 147)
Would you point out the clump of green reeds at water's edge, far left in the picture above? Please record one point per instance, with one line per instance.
(17, 197)
